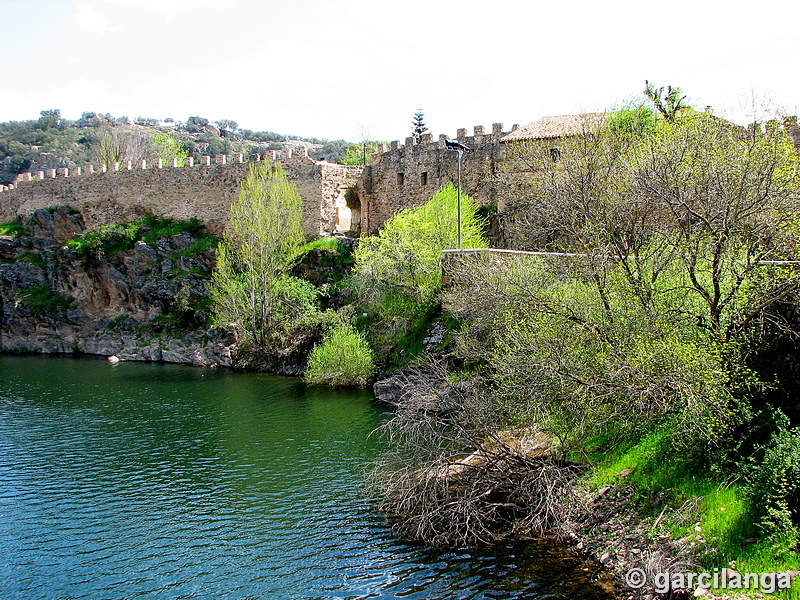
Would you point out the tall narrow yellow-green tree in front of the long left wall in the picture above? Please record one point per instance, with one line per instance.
(252, 291)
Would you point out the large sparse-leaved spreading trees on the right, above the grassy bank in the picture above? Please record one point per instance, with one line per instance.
(673, 220)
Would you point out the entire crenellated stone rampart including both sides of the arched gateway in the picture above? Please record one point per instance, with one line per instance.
(335, 197)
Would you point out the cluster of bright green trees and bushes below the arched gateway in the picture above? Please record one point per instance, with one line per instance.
(394, 282)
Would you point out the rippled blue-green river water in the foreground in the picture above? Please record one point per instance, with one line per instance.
(166, 481)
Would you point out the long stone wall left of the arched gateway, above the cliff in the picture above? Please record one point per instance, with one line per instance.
(122, 192)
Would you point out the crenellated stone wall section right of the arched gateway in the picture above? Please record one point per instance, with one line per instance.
(404, 175)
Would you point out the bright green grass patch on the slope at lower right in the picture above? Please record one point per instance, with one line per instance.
(690, 493)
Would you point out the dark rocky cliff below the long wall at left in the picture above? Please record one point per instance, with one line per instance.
(148, 302)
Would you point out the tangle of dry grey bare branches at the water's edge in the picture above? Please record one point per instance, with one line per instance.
(456, 476)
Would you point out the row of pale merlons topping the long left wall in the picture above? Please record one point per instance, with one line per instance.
(290, 155)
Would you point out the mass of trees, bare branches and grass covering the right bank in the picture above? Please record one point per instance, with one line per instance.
(656, 353)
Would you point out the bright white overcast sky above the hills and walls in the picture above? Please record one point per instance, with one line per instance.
(355, 68)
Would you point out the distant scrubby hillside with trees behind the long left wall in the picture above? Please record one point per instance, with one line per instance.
(54, 142)
